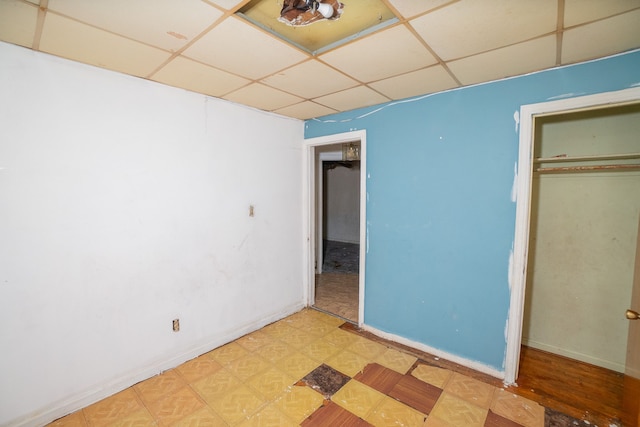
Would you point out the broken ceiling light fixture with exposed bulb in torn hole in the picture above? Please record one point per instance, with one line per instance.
(304, 12)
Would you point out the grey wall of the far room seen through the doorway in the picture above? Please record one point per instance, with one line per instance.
(342, 189)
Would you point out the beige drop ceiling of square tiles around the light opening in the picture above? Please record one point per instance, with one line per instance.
(430, 46)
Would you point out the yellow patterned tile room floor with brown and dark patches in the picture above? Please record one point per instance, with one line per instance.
(309, 370)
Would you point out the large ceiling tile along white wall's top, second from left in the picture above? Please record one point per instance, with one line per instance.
(70, 39)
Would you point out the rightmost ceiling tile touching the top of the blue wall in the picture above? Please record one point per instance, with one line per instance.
(602, 38)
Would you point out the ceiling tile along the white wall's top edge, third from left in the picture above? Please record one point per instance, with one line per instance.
(197, 77)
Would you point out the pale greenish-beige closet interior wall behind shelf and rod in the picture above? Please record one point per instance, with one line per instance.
(583, 236)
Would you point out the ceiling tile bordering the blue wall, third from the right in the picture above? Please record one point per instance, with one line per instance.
(428, 80)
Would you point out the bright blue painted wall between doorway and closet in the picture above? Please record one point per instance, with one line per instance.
(440, 214)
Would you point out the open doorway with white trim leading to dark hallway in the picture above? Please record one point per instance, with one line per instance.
(336, 231)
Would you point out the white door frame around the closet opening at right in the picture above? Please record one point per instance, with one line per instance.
(519, 256)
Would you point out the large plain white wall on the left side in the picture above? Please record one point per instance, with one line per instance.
(123, 205)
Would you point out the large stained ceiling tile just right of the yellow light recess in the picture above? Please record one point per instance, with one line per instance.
(470, 27)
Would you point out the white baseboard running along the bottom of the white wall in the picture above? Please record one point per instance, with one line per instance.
(81, 400)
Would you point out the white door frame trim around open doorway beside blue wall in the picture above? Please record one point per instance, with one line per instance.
(309, 198)
